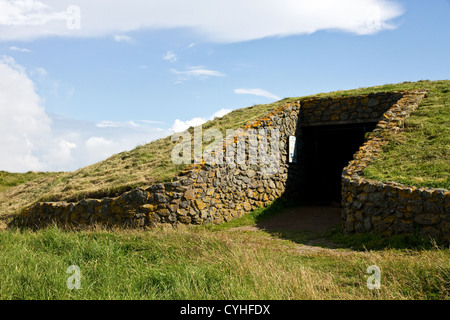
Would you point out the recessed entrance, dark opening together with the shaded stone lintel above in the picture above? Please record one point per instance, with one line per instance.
(329, 132)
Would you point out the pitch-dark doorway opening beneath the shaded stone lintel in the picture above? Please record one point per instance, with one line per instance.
(326, 151)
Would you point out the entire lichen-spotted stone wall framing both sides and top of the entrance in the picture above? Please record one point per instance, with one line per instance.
(217, 190)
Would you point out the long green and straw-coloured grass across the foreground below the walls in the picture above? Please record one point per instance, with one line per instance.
(197, 263)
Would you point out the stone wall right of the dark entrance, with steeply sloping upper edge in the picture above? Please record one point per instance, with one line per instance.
(391, 208)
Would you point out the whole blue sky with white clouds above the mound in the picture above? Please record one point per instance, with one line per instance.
(79, 86)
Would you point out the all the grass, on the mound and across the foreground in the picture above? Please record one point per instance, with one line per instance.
(224, 262)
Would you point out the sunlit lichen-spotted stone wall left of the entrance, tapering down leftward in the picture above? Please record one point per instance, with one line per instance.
(208, 192)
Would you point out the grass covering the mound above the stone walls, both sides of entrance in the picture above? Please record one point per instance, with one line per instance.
(420, 156)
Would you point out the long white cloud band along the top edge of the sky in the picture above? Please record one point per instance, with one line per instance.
(220, 21)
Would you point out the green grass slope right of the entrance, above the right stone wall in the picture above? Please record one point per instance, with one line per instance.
(420, 156)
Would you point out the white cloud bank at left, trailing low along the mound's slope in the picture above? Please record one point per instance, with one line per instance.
(31, 139)
